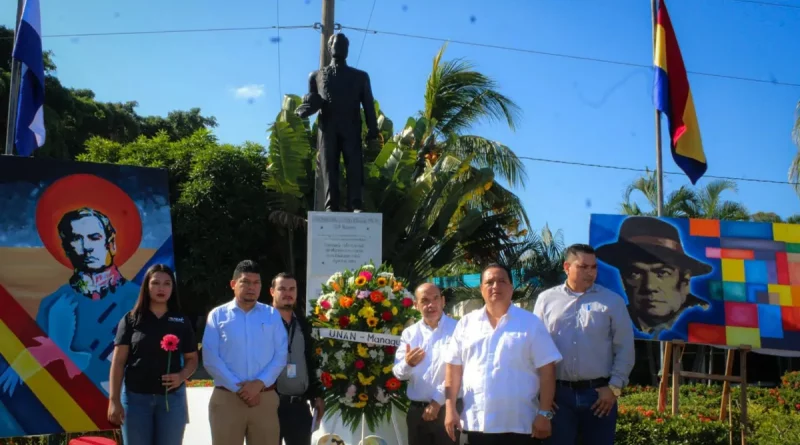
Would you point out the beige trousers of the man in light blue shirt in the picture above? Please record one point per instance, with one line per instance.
(232, 420)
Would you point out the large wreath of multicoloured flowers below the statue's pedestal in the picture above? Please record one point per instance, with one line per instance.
(357, 377)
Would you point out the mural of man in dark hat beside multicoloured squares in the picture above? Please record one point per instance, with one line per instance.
(725, 283)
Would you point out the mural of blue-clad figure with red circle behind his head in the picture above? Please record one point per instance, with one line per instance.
(75, 240)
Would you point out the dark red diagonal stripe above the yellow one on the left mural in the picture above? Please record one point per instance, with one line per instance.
(81, 388)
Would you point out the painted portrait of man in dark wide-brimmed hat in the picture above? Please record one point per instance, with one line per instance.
(655, 273)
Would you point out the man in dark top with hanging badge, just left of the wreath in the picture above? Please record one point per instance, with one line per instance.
(297, 383)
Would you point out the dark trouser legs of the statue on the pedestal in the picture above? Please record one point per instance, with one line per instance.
(332, 145)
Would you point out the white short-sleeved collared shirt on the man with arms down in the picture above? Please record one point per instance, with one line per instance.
(500, 377)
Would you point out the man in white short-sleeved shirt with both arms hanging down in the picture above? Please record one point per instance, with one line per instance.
(505, 360)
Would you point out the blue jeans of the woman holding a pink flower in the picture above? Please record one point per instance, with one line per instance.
(147, 421)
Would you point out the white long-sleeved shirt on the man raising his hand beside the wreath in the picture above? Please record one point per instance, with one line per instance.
(426, 379)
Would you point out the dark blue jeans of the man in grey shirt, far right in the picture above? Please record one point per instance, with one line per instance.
(575, 417)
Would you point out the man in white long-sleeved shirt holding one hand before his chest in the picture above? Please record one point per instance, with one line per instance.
(419, 359)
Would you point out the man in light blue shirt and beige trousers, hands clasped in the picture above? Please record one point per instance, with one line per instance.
(245, 348)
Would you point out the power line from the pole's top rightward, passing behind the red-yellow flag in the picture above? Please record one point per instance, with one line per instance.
(565, 56)
